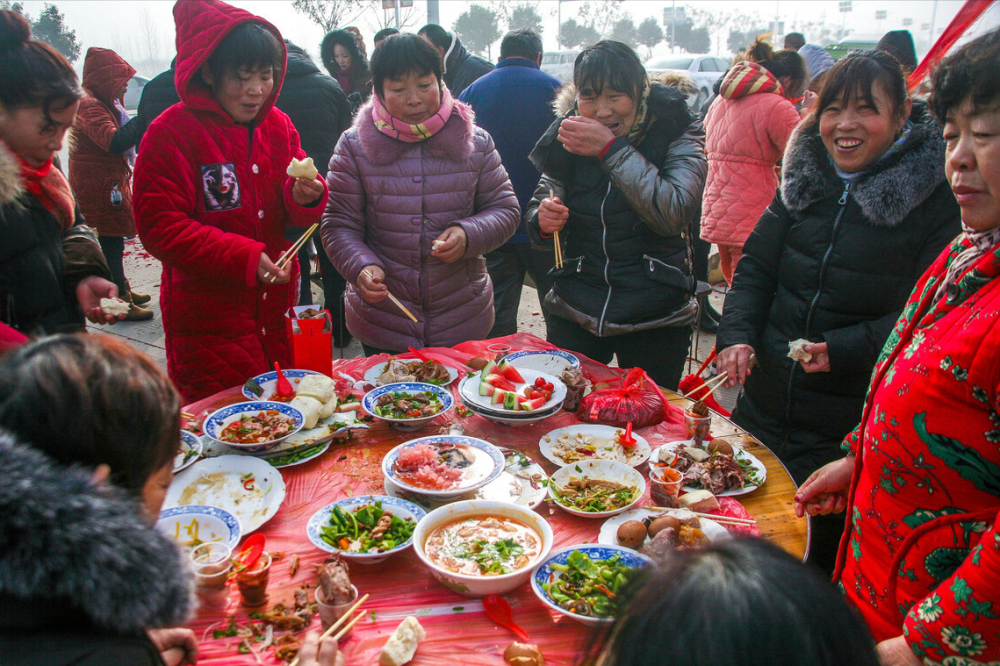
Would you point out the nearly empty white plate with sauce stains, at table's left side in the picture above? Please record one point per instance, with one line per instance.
(220, 481)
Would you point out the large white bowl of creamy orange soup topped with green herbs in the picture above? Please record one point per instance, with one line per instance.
(481, 547)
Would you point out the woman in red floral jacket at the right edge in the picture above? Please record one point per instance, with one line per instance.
(921, 555)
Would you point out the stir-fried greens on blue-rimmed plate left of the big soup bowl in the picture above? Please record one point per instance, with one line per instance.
(367, 529)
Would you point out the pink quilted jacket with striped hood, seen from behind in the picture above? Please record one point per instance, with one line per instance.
(746, 130)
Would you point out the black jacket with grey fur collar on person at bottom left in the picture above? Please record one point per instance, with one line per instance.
(81, 573)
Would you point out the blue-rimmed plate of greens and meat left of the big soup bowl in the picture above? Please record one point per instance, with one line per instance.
(365, 529)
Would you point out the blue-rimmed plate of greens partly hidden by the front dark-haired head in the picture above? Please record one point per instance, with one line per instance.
(582, 582)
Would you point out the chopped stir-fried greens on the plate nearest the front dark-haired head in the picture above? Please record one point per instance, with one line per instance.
(588, 587)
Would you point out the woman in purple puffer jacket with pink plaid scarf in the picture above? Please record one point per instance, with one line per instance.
(418, 196)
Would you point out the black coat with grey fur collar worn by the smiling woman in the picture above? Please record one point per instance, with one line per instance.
(833, 264)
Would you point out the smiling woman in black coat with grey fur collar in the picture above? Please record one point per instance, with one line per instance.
(863, 210)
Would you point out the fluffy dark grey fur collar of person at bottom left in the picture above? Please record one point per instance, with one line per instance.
(64, 541)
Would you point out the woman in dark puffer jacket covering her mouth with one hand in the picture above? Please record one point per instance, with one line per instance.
(622, 176)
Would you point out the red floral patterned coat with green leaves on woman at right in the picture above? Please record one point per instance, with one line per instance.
(921, 555)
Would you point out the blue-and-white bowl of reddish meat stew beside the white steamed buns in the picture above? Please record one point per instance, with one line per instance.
(253, 427)
